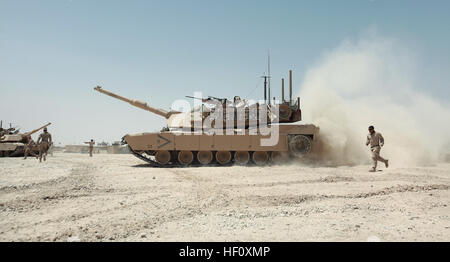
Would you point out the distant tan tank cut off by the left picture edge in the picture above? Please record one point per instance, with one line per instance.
(12, 144)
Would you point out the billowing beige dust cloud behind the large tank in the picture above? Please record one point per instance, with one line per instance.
(371, 81)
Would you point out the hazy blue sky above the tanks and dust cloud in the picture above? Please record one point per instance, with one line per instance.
(52, 53)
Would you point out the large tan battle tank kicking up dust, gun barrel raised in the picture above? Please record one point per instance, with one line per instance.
(237, 132)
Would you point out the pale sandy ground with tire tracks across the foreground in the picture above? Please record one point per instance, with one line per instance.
(116, 198)
